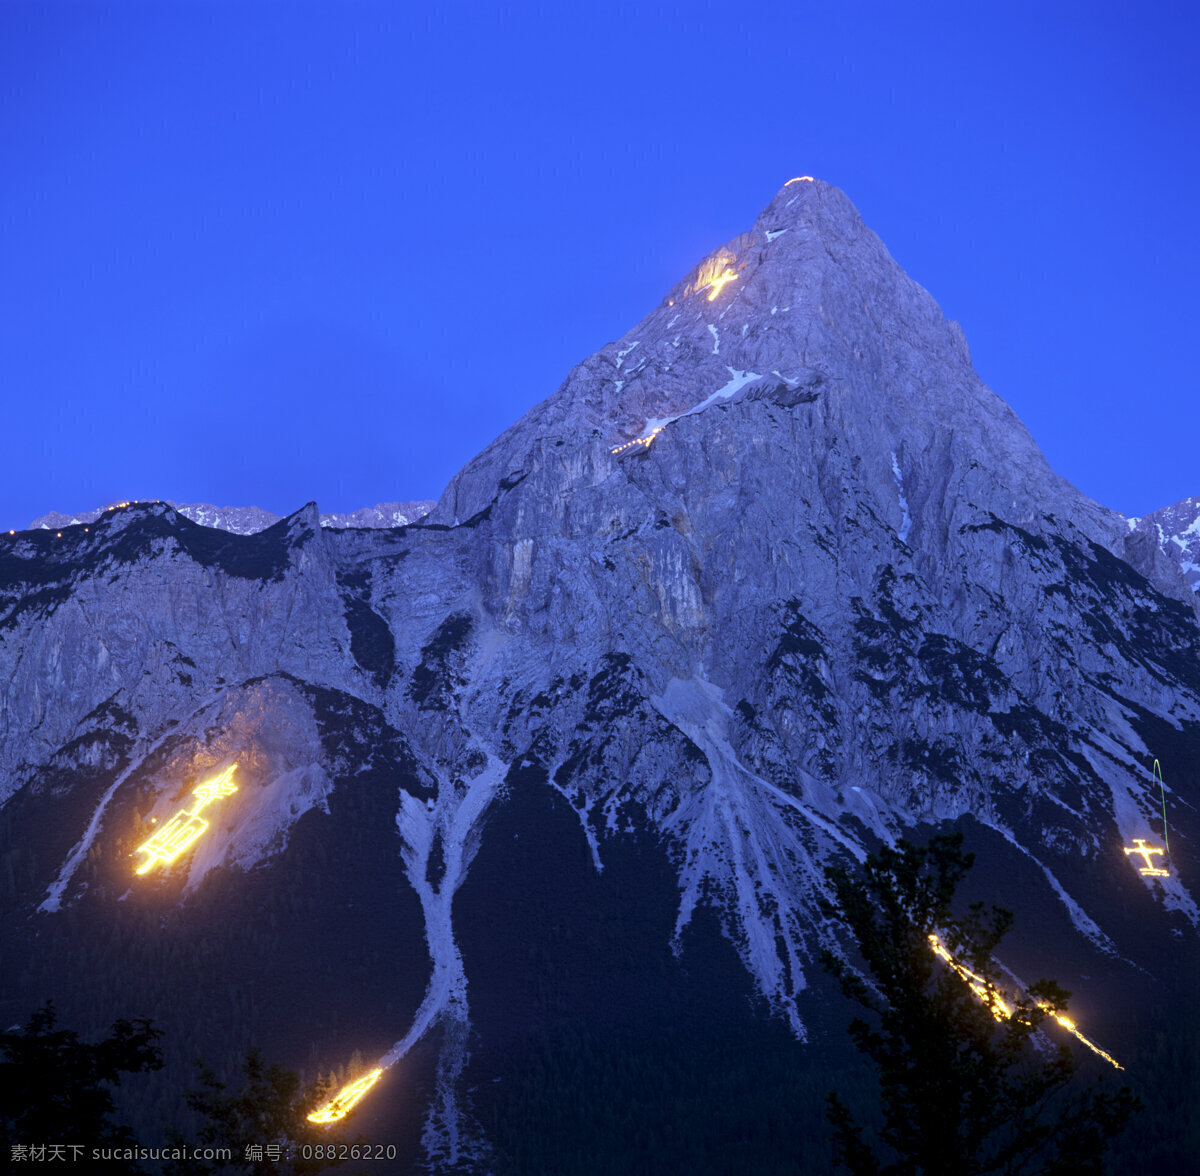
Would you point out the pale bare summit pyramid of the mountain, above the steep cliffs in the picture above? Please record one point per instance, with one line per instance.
(806, 308)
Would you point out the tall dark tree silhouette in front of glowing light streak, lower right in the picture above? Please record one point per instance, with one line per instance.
(968, 1083)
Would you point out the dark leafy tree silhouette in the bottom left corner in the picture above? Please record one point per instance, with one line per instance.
(58, 1089)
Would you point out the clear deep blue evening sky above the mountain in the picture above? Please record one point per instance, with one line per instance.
(262, 254)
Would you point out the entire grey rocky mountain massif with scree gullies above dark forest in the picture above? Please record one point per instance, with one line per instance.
(770, 580)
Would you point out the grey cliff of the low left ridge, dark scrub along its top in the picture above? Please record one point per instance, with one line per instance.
(153, 609)
